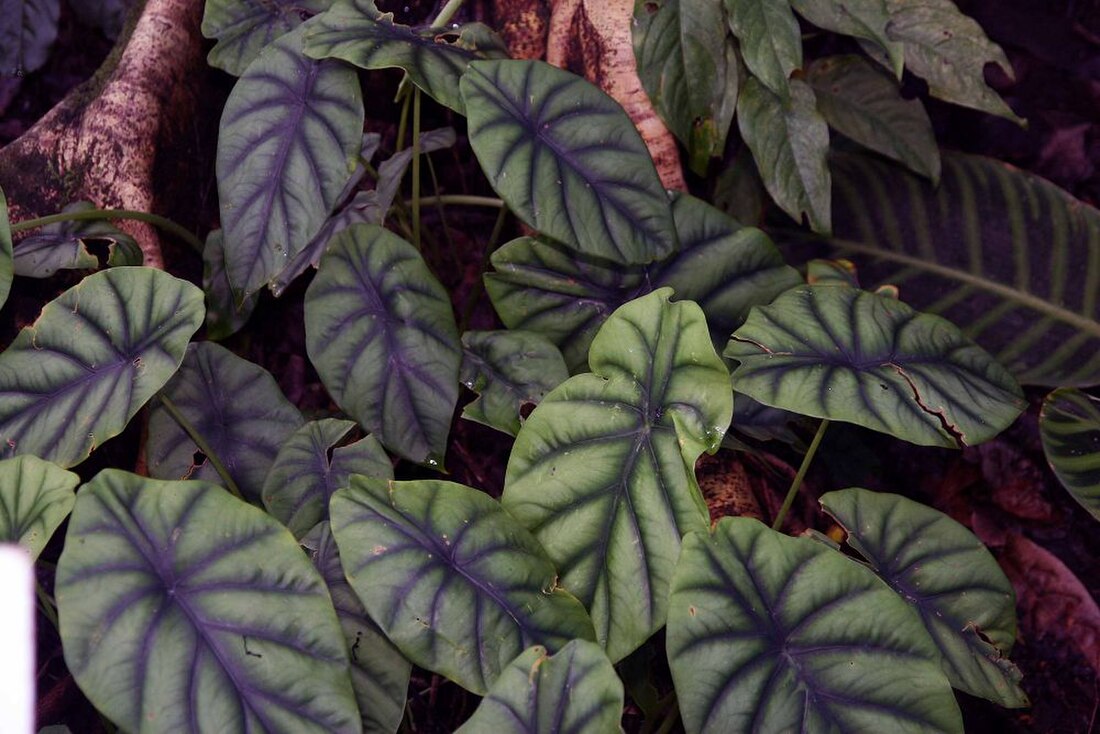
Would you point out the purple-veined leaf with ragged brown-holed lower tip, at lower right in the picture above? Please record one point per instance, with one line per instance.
(965, 601)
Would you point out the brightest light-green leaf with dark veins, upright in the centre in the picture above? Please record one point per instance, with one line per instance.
(602, 472)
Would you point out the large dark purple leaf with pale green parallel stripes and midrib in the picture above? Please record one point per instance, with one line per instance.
(1009, 258)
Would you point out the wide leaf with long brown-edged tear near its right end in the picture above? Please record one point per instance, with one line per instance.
(835, 353)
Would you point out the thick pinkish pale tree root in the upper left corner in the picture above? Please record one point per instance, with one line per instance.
(102, 143)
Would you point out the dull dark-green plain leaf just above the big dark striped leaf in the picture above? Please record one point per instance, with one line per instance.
(866, 105)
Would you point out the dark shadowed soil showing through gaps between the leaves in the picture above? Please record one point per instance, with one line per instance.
(1004, 491)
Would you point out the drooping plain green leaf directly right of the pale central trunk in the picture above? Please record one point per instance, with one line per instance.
(689, 71)
